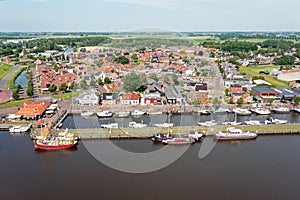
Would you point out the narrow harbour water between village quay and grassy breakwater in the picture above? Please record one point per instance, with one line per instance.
(184, 120)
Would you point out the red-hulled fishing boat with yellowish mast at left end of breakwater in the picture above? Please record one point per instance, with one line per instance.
(48, 141)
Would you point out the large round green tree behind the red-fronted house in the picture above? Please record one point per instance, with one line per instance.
(132, 82)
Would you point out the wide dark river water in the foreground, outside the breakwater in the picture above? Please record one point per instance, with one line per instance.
(266, 168)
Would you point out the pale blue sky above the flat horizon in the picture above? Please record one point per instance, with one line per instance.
(126, 15)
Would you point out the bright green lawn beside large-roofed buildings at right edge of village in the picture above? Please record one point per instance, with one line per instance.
(254, 71)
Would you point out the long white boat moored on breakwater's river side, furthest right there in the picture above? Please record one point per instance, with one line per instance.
(235, 134)
